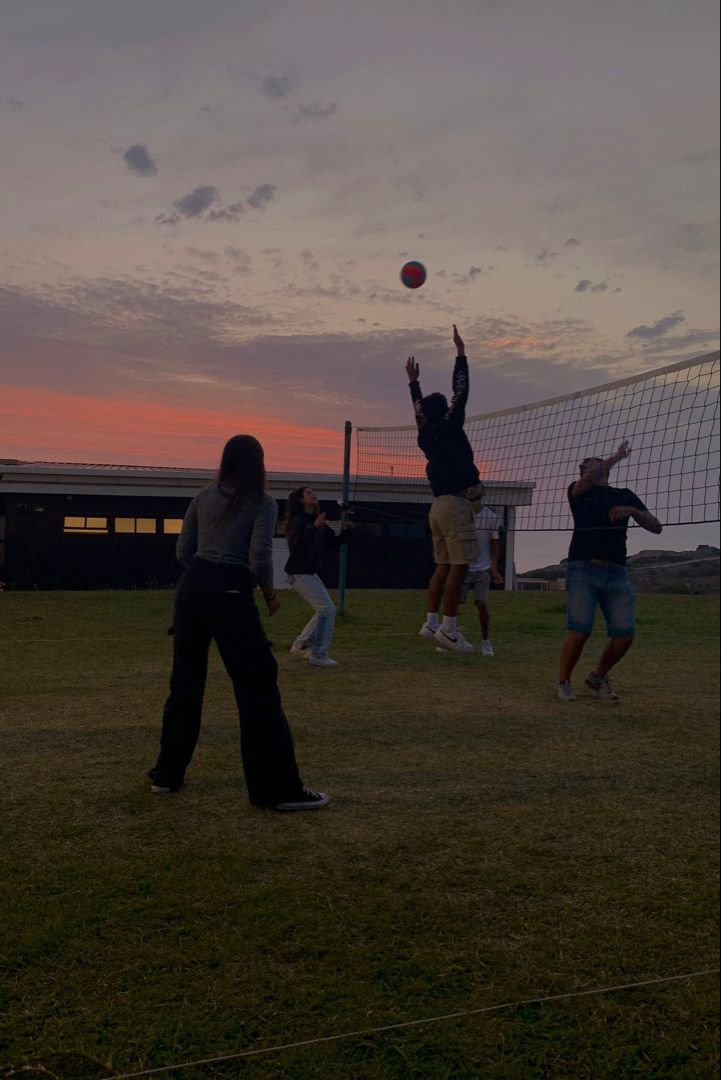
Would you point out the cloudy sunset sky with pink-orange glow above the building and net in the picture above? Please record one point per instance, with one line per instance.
(207, 208)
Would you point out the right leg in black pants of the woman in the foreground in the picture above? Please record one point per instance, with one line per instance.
(267, 750)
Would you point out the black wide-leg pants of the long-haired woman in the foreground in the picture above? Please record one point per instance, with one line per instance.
(215, 602)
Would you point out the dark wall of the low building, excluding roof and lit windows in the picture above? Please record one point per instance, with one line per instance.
(390, 547)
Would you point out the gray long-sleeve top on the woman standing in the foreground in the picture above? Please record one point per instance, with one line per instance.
(243, 538)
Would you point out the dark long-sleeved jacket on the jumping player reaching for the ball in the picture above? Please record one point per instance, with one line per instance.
(451, 468)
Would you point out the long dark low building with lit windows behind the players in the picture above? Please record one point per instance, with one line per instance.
(98, 526)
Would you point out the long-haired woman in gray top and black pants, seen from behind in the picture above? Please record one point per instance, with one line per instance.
(226, 547)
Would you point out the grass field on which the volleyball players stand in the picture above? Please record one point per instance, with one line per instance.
(486, 845)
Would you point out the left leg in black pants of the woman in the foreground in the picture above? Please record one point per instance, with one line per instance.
(182, 717)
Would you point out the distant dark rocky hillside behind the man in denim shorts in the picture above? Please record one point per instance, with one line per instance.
(662, 572)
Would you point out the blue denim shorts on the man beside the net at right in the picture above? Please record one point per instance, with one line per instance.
(607, 585)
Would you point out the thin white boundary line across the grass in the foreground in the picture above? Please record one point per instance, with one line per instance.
(410, 1023)
